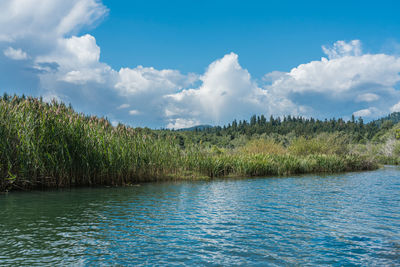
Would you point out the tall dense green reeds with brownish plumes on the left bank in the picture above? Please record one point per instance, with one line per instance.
(49, 145)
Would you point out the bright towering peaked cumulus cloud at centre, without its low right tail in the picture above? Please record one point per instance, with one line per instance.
(226, 88)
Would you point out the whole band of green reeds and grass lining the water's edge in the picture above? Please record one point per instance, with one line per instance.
(44, 145)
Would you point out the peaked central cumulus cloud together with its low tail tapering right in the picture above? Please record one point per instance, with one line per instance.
(227, 92)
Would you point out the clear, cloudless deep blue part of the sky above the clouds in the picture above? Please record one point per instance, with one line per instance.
(267, 35)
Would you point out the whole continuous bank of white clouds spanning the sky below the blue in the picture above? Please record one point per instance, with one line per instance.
(44, 37)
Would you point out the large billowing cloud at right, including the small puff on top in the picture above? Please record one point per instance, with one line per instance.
(339, 85)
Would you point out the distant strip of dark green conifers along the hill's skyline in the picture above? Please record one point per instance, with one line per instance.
(356, 129)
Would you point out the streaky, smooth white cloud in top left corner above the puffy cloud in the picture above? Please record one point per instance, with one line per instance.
(47, 19)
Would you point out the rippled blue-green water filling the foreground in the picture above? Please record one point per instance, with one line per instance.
(345, 219)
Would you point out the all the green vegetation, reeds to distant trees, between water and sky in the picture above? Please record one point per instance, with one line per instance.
(49, 145)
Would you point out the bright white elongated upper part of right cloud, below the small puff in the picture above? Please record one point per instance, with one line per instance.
(341, 75)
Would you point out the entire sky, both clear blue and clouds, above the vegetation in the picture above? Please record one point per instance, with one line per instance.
(176, 64)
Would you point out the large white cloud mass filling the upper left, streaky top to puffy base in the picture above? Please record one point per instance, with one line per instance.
(43, 31)
